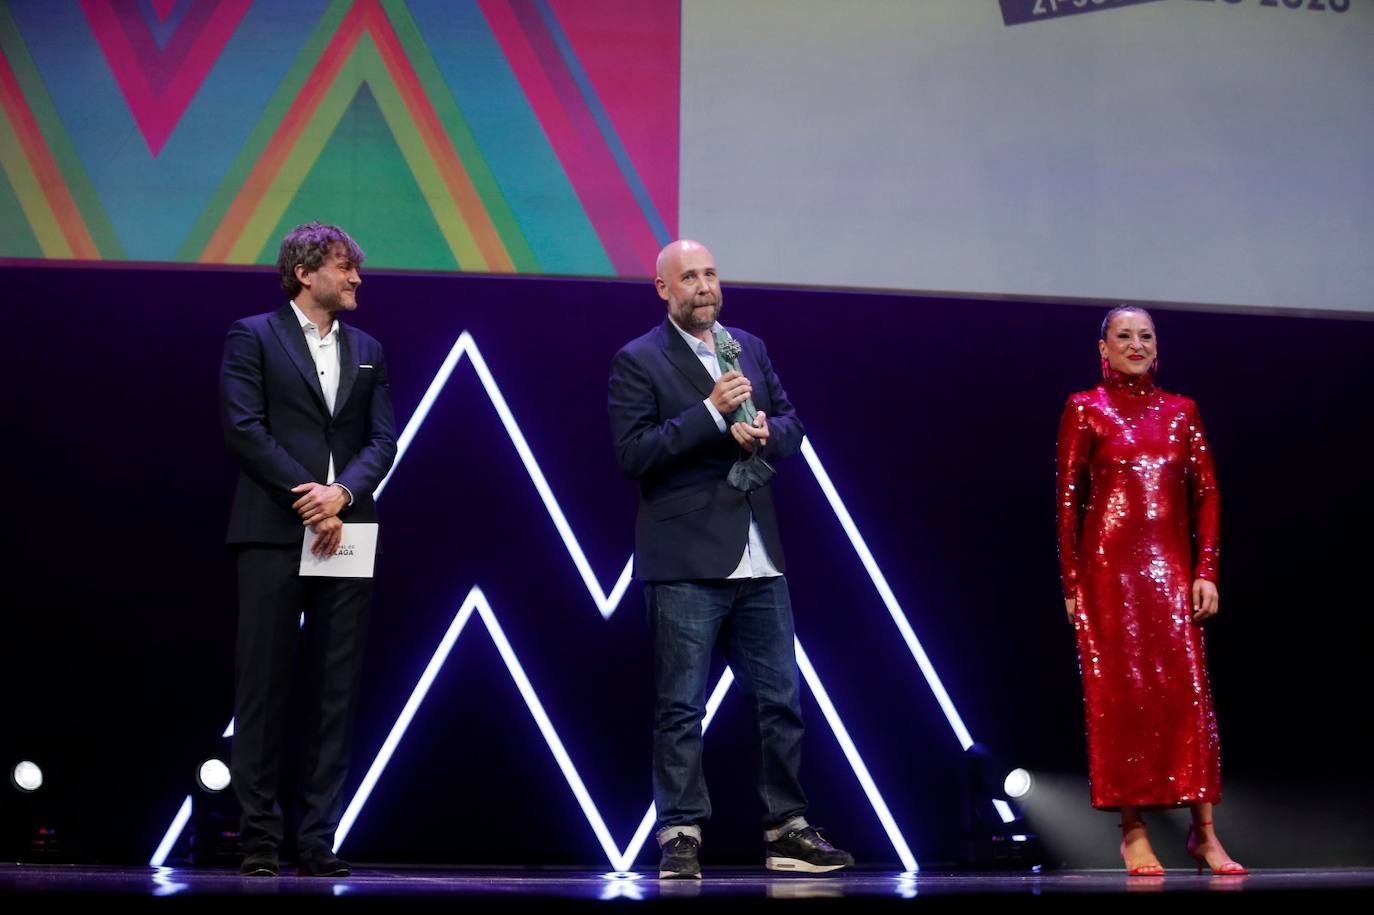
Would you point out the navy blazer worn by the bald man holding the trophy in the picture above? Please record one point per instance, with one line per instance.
(692, 524)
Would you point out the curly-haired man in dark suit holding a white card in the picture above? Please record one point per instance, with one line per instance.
(307, 414)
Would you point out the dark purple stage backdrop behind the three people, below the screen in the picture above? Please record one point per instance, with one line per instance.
(936, 420)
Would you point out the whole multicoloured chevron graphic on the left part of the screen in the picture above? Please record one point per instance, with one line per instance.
(504, 137)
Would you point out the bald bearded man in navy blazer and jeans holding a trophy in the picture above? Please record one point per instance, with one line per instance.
(708, 549)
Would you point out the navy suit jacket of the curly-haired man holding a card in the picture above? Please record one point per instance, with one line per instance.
(281, 432)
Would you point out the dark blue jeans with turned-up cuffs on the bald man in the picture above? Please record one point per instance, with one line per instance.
(751, 619)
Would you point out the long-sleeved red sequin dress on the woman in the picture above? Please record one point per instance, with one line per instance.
(1138, 521)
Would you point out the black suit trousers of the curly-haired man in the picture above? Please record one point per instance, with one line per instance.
(273, 597)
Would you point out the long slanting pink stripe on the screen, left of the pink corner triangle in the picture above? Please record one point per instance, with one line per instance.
(578, 144)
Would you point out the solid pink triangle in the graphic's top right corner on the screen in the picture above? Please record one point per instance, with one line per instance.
(631, 52)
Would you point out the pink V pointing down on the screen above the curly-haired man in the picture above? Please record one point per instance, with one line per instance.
(157, 105)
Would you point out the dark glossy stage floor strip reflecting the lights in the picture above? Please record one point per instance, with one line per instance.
(575, 890)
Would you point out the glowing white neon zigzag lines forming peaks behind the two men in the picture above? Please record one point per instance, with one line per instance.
(608, 604)
